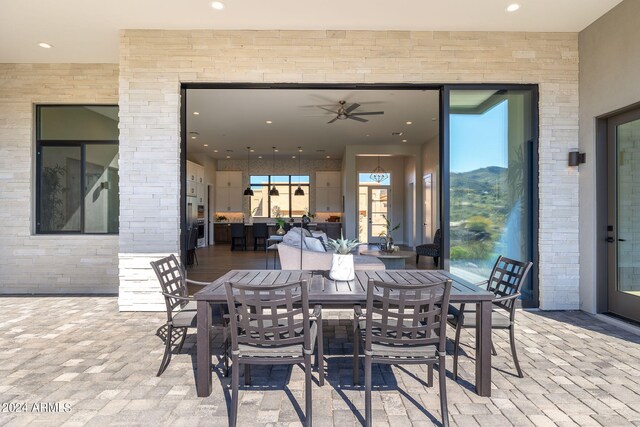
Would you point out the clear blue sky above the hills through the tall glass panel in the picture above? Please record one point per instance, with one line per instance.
(479, 140)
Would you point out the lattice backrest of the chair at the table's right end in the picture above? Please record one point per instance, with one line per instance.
(507, 278)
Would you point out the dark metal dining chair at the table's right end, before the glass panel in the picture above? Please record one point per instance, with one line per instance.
(505, 282)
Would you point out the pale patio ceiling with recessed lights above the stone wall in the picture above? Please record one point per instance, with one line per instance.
(87, 30)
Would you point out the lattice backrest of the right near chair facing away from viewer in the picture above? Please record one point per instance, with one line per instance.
(406, 315)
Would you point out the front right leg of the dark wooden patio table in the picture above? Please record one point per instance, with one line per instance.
(483, 349)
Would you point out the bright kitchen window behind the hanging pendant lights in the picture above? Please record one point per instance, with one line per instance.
(286, 203)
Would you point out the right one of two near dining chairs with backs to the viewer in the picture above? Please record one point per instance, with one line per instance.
(403, 324)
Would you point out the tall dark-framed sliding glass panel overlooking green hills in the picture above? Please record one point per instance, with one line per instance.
(490, 139)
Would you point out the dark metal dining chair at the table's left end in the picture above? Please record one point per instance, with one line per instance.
(181, 308)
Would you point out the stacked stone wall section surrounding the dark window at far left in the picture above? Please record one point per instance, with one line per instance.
(32, 263)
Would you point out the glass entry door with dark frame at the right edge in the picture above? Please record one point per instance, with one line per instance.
(623, 227)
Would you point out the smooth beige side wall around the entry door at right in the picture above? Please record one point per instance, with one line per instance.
(609, 69)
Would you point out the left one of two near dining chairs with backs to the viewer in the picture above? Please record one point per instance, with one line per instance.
(272, 325)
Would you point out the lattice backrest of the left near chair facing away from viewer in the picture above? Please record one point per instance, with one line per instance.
(269, 315)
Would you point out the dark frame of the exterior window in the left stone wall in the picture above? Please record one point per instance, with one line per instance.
(40, 143)
